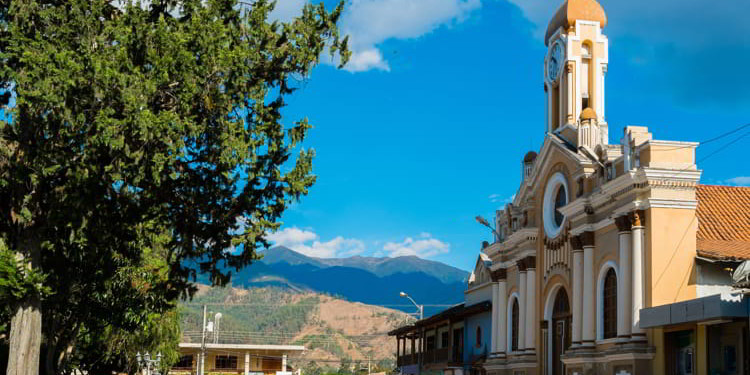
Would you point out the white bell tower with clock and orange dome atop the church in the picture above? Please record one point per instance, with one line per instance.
(574, 73)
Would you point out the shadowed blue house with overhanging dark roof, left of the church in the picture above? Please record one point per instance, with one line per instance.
(456, 341)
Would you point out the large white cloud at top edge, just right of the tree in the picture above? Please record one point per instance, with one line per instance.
(371, 22)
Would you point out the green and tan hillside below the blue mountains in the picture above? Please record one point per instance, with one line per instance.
(331, 329)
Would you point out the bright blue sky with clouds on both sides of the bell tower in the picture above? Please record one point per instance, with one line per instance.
(427, 126)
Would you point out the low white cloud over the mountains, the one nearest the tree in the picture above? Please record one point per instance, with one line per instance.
(308, 243)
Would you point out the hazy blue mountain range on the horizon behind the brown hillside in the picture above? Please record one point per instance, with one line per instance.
(370, 280)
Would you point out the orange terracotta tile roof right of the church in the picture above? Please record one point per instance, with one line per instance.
(723, 222)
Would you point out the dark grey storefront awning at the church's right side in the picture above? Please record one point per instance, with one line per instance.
(716, 307)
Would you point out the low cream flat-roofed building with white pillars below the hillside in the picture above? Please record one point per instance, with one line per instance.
(235, 359)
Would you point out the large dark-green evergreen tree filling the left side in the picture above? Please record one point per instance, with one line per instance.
(136, 133)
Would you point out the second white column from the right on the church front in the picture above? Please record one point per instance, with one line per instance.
(624, 295)
